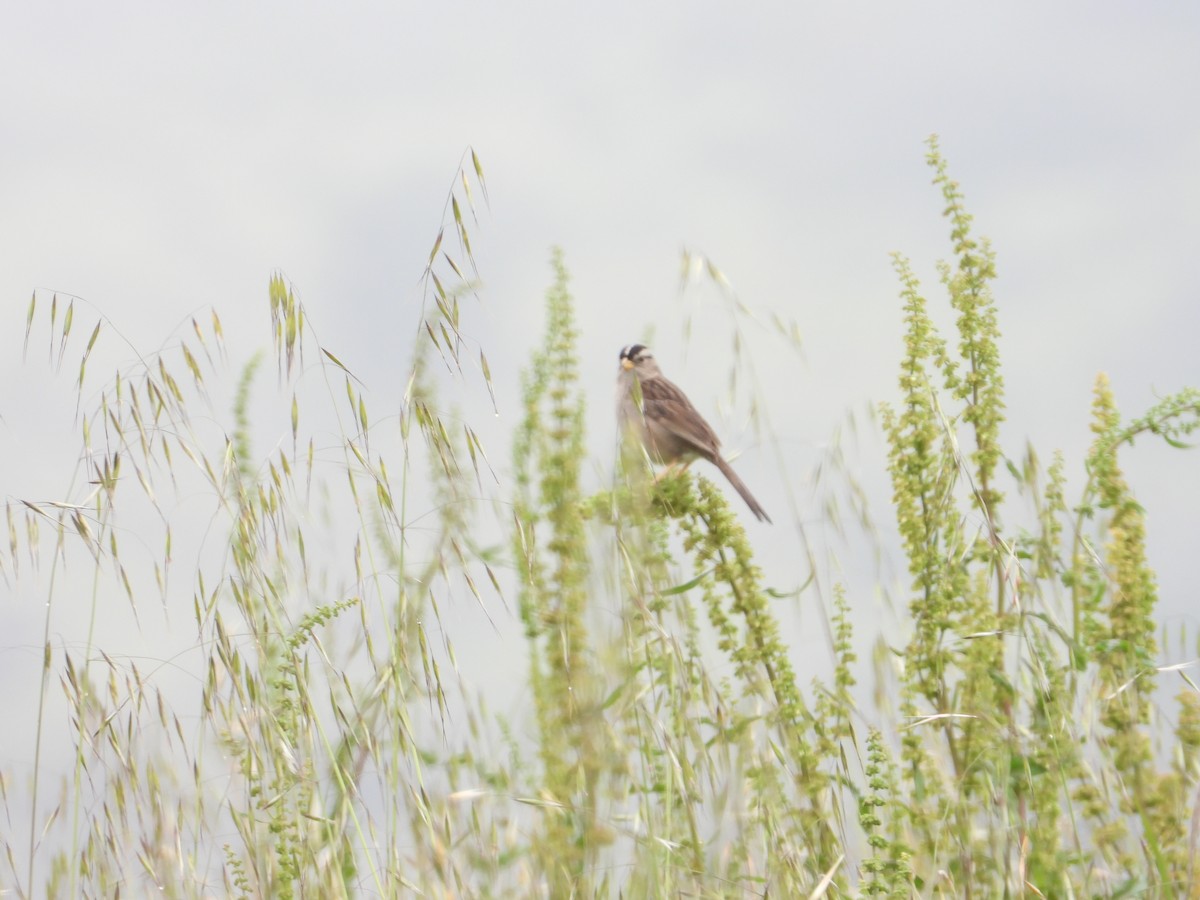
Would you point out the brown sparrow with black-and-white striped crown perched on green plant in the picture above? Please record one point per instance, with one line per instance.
(665, 422)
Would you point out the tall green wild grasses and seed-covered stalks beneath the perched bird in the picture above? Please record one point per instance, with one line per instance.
(323, 746)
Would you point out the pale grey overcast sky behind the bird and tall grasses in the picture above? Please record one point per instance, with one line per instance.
(158, 164)
